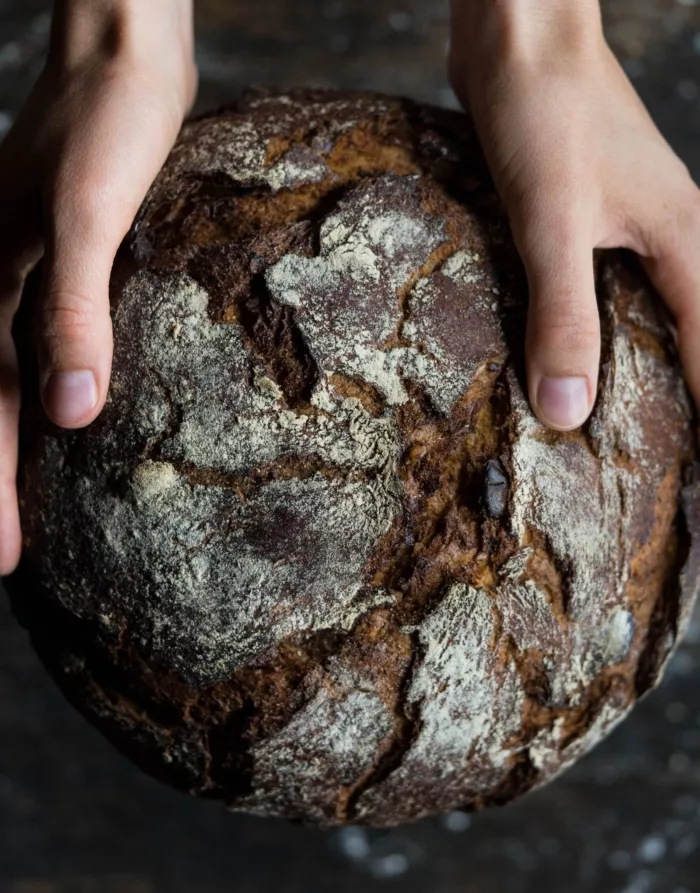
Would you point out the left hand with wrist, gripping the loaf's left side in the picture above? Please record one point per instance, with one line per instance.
(74, 170)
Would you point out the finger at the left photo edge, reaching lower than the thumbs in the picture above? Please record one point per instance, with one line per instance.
(10, 536)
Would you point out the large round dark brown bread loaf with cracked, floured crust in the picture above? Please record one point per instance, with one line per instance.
(317, 558)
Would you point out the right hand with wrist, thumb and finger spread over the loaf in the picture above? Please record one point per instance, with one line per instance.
(579, 165)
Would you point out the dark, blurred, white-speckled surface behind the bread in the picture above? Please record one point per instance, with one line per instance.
(76, 818)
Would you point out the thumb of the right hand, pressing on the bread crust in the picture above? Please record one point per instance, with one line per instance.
(563, 330)
